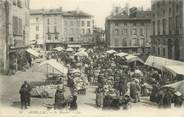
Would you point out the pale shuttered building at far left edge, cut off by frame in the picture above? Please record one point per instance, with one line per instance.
(14, 29)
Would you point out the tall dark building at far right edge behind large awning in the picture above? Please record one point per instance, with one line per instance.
(167, 38)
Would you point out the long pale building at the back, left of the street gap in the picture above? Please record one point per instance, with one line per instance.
(61, 28)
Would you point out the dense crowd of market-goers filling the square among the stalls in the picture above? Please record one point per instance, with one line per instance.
(118, 82)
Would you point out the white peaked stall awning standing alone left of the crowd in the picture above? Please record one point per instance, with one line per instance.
(53, 65)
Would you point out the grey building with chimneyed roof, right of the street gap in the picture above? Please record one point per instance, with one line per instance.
(129, 33)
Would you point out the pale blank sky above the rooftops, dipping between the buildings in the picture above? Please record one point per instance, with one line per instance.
(100, 9)
